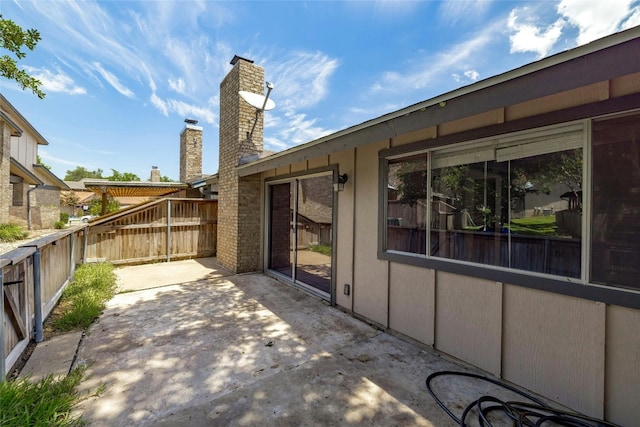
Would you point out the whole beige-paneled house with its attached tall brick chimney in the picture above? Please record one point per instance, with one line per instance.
(479, 267)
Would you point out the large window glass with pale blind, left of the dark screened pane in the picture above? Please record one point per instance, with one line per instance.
(511, 202)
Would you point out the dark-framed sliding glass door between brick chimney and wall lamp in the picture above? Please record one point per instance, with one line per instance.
(300, 231)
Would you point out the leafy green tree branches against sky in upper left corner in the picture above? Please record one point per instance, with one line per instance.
(12, 39)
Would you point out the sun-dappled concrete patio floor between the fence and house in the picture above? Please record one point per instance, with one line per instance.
(243, 350)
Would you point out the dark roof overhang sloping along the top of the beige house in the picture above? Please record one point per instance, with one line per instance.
(601, 60)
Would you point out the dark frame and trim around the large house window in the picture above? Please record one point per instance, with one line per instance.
(577, 287)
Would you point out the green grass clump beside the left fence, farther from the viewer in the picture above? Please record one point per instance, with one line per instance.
(84, 299)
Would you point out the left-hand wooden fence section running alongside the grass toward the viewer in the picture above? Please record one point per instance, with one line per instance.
(33, 278)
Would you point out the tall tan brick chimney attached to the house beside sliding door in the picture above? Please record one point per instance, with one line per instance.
(239, 197)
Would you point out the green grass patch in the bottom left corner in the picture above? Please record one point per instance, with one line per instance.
(47, 402)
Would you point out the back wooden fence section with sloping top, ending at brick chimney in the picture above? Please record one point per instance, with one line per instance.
(157, 231)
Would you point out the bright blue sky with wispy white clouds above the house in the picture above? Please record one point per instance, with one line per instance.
(121, 76)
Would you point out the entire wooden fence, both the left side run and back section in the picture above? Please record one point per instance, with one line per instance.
(34, 275)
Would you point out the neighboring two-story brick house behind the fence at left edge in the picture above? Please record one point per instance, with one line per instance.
(29, 192)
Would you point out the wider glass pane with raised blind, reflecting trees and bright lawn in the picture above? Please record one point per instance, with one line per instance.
(511, 207)
